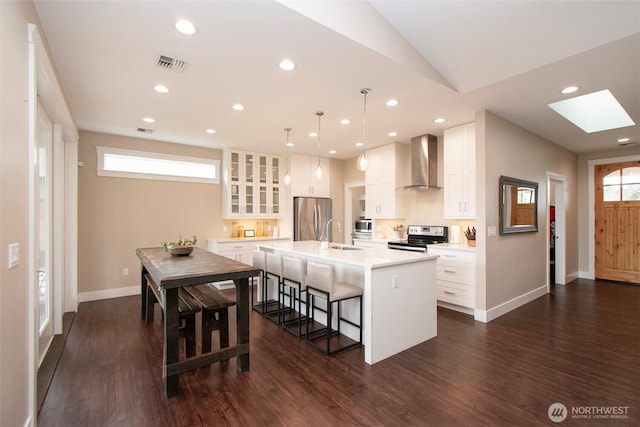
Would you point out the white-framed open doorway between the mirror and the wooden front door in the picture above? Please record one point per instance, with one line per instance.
(556, 191)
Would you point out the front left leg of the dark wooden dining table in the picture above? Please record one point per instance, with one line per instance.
(171, 350)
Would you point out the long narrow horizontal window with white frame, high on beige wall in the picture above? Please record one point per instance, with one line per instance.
(122, 163)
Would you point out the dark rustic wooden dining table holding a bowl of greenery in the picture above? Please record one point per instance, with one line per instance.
(171, 273)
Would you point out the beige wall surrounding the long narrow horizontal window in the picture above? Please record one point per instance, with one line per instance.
(118, 215)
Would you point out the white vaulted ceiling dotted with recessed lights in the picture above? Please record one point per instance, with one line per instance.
(444, 59)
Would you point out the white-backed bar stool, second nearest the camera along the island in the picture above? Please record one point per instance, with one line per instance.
(293, 278)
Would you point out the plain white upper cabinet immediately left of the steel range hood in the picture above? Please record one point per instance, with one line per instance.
(386, 171)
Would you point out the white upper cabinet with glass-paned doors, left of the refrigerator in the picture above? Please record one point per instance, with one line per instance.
(252, 185)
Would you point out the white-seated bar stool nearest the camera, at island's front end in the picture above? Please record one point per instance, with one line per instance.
(320, 284)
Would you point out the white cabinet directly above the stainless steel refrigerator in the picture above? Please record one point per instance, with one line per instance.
(304, 182)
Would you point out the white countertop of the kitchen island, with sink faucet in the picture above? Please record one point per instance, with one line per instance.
(363, 257)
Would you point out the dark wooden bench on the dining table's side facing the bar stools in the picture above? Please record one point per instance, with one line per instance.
(215, 313)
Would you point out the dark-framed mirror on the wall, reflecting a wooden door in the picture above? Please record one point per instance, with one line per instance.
(518, 206)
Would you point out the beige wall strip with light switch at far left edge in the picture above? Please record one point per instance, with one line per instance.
(15, 316)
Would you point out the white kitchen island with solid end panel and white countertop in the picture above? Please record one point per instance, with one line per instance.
(399, 298)
